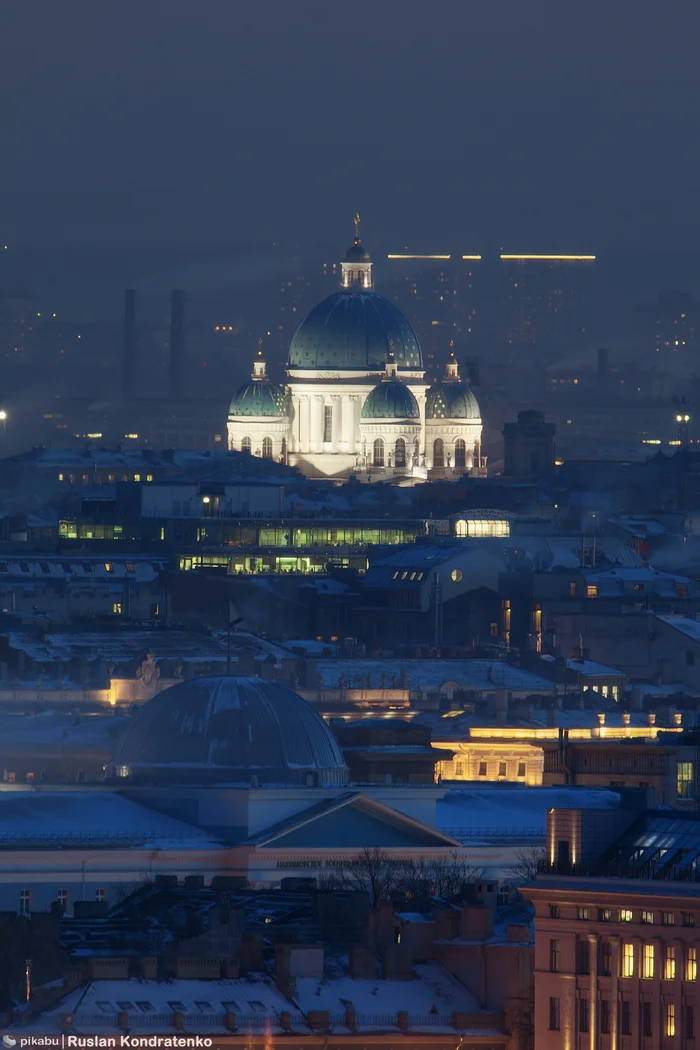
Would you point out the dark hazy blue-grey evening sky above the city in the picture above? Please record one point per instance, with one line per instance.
(196, 124)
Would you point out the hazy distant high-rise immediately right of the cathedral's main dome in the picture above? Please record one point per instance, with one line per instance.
(439, 293)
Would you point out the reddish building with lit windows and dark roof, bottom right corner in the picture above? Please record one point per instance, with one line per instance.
(617, 932)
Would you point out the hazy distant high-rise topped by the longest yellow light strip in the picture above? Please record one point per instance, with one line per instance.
(547, 300)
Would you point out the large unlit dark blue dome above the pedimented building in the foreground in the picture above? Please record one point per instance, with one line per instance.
(230, 730)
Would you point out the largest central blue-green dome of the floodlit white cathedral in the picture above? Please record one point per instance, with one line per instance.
(355, 330)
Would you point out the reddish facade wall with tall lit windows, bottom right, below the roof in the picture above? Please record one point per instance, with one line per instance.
(588, 922)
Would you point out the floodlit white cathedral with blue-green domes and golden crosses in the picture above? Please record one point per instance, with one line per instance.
(356, 402)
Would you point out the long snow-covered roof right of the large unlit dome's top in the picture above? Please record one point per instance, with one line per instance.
(481, 676)
